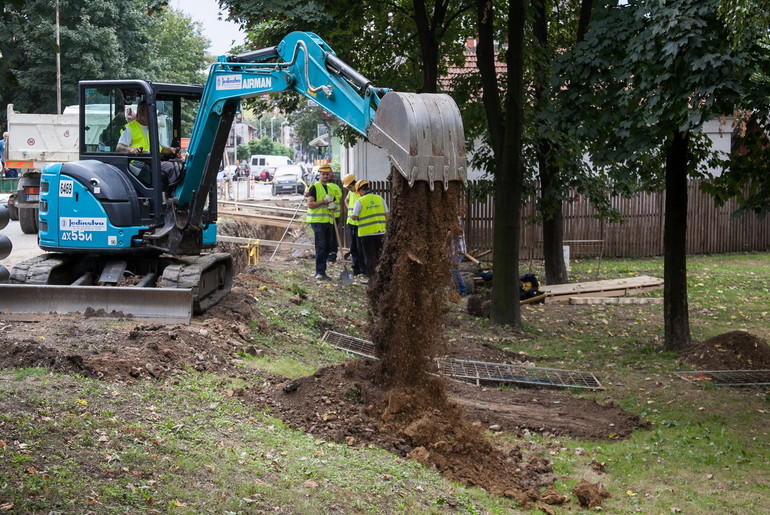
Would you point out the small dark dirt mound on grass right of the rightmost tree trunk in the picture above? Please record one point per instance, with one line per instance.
(734, 350)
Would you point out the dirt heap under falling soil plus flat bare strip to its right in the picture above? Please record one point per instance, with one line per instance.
(347, 403)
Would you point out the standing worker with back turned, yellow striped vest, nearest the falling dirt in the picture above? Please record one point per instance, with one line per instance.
(370, 211)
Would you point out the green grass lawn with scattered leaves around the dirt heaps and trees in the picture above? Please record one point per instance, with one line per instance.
(71, 444)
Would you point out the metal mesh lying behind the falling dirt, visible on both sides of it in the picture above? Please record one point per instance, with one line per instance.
(477, 371)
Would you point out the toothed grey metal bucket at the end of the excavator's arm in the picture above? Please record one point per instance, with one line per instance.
(423, 133)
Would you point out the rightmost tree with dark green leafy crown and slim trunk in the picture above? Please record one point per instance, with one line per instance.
(638, 88)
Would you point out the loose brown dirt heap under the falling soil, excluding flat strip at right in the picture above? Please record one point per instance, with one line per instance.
(347, 403)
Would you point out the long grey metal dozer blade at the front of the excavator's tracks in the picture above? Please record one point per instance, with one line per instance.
(167, 305)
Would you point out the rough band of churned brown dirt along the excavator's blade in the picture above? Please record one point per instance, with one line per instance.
(133, 349)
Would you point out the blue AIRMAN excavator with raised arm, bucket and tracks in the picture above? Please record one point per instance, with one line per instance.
(133, 233)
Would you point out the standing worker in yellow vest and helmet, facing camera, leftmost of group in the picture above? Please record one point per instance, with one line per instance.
(320, 216)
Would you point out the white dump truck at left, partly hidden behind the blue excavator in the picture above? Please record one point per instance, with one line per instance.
(35, 140)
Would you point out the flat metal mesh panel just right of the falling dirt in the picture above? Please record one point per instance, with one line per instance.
(476, 371)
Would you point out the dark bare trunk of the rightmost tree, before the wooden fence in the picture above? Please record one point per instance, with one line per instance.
(675, 311)
